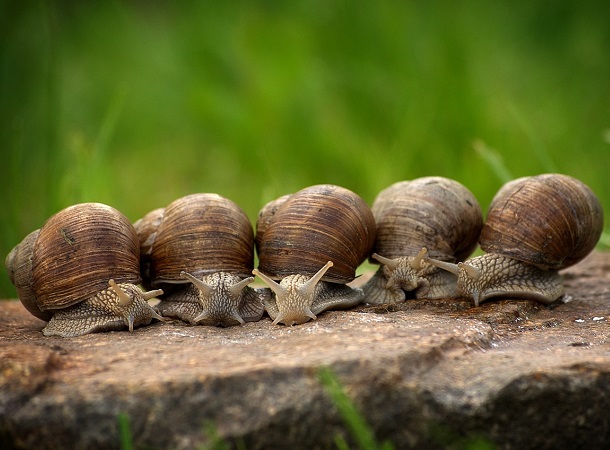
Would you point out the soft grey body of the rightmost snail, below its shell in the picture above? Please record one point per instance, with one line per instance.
(493, 275)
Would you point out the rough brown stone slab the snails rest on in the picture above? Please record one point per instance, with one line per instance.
(426, 374)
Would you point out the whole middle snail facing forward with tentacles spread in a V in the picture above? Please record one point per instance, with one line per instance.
(312, 241)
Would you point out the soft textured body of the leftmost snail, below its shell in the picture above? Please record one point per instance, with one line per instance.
(116, 308)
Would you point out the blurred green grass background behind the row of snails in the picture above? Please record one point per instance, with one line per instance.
(135, 104)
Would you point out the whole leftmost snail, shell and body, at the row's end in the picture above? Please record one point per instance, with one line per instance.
(80, 271)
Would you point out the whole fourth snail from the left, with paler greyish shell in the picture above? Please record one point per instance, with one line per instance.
(429, 216)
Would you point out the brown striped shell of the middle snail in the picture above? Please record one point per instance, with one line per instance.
(313, 226)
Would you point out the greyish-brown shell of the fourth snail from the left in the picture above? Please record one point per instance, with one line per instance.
(433, 212)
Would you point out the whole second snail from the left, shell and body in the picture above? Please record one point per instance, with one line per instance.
(200, 249)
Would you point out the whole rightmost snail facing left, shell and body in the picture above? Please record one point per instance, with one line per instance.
(535, 227)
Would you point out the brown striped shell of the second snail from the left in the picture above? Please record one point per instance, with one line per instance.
(201, 234)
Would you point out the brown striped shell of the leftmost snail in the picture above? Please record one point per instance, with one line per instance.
(73, 256)
